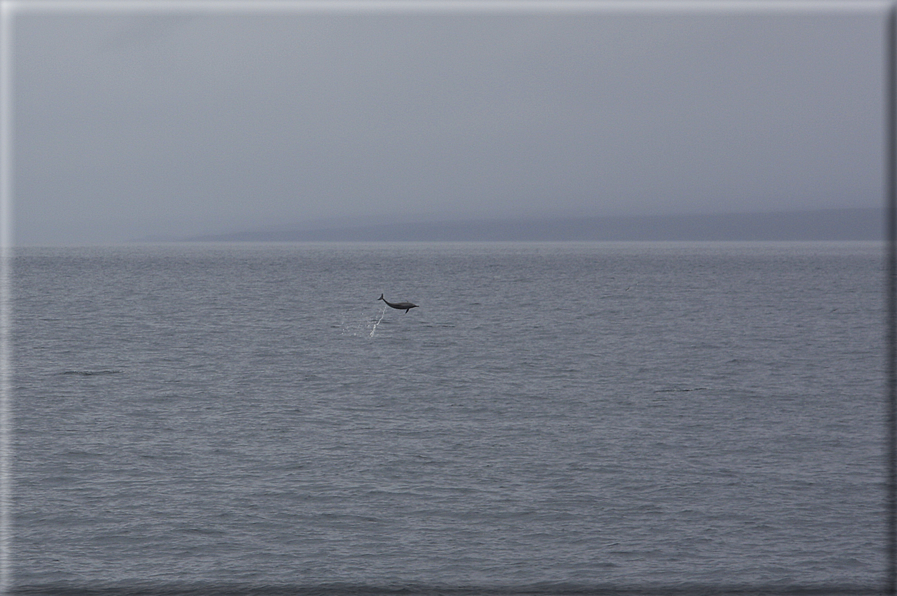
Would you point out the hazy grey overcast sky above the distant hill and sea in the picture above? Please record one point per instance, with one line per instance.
(152, 123)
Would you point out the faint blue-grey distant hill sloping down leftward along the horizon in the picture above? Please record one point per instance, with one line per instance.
(824, 224)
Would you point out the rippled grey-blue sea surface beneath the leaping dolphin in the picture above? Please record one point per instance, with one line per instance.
(552, 418)
